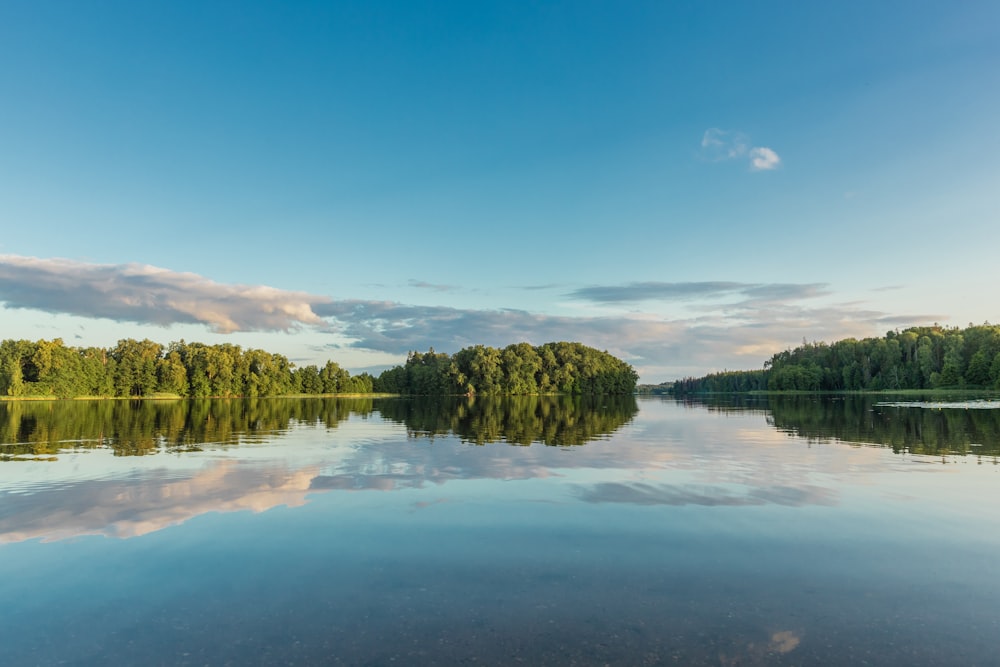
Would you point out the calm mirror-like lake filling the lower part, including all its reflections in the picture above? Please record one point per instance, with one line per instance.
(797, 530)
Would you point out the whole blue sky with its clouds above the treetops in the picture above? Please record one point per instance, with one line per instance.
(690, 186)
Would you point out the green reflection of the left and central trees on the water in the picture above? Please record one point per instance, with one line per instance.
(39, 429)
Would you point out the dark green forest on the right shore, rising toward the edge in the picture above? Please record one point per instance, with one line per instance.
(917, 358)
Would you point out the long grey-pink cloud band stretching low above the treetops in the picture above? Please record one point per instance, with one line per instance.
(732, 325)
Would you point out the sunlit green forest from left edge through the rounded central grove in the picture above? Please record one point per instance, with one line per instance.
(49, 368)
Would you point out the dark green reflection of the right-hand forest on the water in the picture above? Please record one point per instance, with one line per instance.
(861, 419)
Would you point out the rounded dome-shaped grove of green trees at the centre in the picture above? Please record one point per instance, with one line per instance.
(567, 368)
